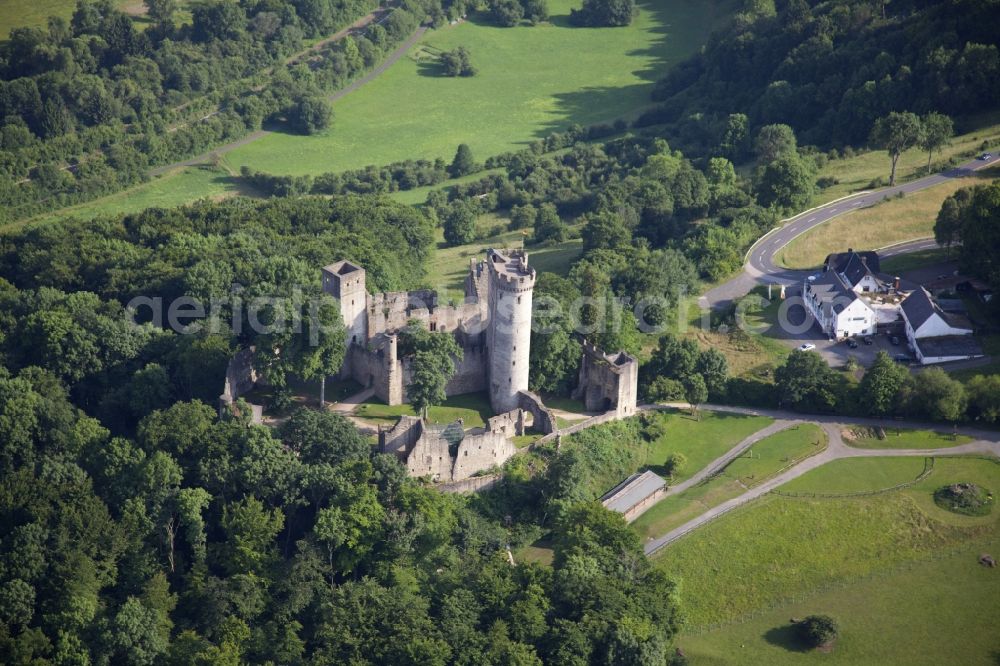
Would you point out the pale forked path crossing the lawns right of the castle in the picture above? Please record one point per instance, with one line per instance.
(986, 443)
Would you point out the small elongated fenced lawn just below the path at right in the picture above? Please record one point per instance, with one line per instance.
(857, 475)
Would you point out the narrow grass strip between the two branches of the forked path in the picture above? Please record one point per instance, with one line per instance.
(765, 459)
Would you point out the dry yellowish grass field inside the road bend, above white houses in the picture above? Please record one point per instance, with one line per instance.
(893, 221)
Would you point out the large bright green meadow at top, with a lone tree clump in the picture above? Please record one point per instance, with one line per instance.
(531, 81)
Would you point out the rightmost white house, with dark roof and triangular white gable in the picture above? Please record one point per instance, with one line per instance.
(934, 335)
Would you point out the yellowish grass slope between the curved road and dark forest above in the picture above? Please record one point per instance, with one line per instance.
(857, 172)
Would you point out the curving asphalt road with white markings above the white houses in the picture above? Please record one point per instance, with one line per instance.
(760, 266)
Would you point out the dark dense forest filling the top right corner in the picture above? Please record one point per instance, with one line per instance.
(830, 69)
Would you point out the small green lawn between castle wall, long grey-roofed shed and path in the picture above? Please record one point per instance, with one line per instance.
(700, 440)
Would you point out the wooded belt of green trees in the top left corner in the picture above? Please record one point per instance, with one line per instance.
(89, 106)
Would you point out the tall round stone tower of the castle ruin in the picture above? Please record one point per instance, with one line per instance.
(508, 333)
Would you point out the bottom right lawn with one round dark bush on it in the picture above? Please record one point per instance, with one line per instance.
(942, 611)
